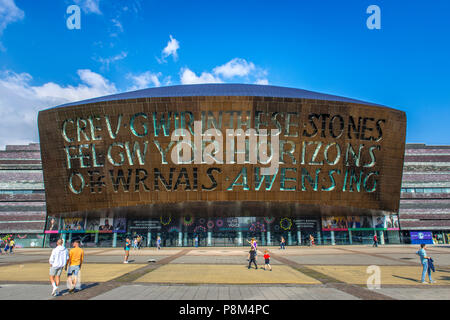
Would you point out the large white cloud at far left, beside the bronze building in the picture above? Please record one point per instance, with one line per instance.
(20, 101)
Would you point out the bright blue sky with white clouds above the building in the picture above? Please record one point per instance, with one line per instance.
(322, 46)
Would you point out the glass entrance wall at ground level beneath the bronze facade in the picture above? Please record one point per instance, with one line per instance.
(228, 232)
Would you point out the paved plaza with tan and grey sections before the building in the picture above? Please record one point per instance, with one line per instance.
(299, 273)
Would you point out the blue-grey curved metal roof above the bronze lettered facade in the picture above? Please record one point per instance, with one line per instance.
(219, 90)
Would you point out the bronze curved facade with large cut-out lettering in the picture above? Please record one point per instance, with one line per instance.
(336, 156)
